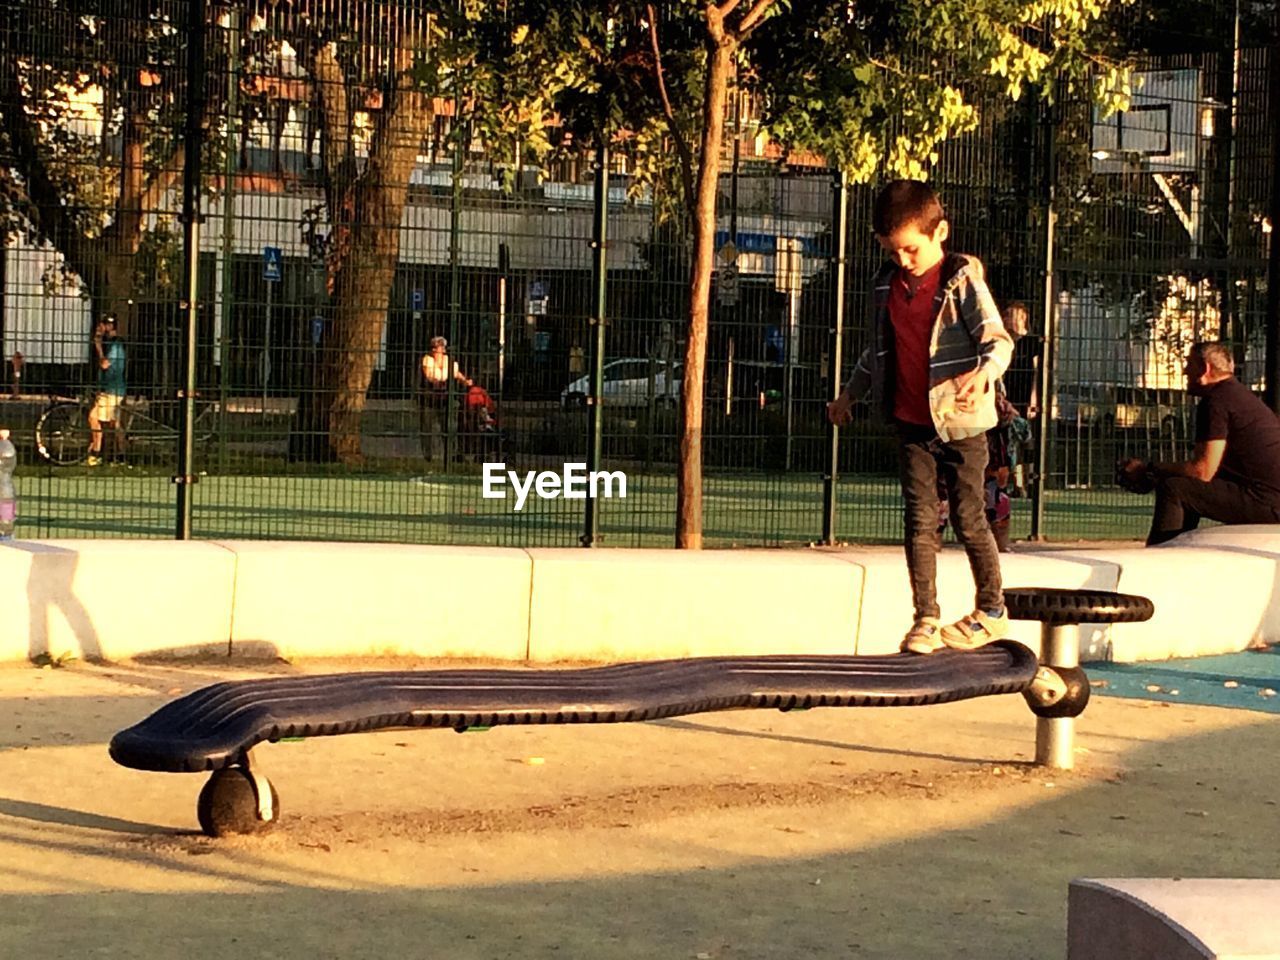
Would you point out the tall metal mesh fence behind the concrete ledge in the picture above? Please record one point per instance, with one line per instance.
(346, 223)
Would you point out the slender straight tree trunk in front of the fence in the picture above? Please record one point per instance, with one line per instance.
(689, 487)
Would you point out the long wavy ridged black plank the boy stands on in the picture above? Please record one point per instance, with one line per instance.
(213, 728)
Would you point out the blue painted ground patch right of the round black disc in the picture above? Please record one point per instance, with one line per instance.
(1201, 680)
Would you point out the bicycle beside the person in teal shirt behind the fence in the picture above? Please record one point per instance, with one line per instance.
(63, 435)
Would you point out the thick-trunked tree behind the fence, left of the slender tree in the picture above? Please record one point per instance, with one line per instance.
(377, 71)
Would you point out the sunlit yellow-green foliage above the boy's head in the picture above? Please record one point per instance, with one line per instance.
(883, 88)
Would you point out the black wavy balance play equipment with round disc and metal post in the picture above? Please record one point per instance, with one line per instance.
(216, 729)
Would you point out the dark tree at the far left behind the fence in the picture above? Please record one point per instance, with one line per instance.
(90, 134)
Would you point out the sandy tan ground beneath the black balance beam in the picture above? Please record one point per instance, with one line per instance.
(916, 833)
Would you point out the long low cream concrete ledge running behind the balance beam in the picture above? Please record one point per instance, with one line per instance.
(1215, 591)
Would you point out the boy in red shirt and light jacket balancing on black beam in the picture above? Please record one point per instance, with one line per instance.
(938, 348)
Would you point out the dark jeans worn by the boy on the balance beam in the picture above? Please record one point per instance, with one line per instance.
(922, 458)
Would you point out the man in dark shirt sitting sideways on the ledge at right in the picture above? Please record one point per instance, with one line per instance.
(1235, 474)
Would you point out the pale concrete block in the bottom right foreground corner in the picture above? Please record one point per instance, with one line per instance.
(1173, 920)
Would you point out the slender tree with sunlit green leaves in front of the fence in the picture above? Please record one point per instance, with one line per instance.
(872, 85)
